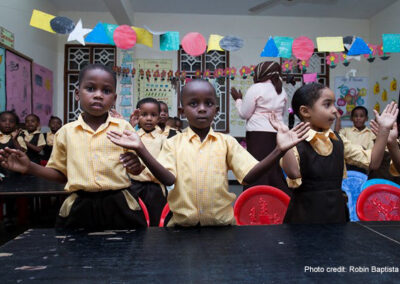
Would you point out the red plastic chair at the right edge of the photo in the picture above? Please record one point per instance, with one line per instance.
(379, 202)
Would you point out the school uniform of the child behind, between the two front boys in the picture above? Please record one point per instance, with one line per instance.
(147, 187)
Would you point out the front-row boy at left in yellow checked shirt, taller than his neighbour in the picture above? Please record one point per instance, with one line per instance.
(94, 169)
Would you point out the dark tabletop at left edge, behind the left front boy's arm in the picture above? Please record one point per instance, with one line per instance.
(18, 184)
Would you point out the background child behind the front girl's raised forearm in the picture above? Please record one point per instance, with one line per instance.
(359, 134)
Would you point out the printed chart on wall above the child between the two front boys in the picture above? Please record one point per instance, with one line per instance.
(154, 86)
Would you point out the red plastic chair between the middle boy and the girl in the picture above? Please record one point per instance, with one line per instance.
(261, 205)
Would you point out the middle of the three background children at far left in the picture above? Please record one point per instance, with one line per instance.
(34, 139)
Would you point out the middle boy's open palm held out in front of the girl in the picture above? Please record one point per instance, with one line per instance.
(286, 138)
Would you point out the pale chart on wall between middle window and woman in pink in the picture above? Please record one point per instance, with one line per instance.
(236, 124)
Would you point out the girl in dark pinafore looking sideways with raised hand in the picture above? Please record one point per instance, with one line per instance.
(318, 162)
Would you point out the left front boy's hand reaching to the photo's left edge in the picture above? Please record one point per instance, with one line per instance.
(14, 160)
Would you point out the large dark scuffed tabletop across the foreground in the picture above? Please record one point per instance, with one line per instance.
(251, 254)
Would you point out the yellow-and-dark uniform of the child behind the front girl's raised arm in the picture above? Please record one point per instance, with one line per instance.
(364, 138)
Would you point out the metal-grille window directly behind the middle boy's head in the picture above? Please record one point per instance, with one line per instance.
(209, 61)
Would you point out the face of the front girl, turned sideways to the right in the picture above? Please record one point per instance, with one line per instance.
(323, 113)
